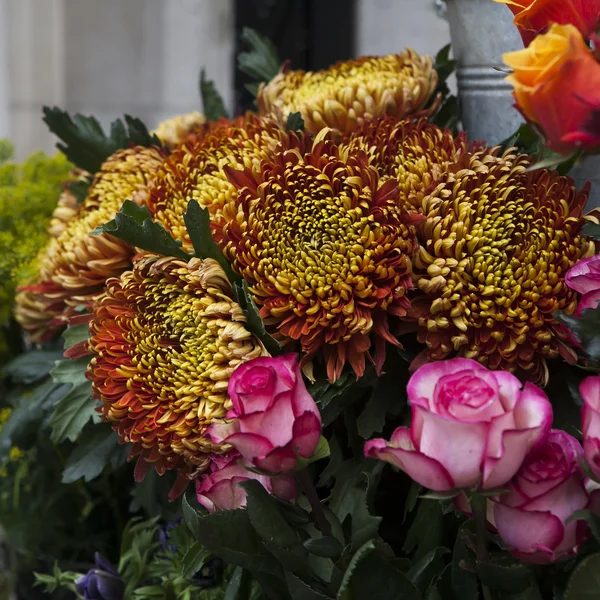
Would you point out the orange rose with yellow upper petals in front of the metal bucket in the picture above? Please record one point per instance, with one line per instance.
(557, 85)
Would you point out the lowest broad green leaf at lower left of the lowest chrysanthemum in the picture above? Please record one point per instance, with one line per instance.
(98, 449)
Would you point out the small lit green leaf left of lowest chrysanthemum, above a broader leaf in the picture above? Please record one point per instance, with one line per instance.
(72, 412)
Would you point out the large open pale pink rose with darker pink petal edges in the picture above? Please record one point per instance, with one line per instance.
(470, 428)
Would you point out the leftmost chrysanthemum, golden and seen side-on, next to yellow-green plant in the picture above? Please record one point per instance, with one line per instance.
(74, 266)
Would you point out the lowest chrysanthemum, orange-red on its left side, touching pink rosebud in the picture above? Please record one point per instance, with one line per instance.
(166, 337)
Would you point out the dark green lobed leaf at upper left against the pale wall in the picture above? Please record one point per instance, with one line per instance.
(84, 142)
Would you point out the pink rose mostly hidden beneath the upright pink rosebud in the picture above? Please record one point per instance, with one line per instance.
(219, 490)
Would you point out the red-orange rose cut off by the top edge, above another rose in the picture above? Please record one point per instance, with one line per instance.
(535, 16)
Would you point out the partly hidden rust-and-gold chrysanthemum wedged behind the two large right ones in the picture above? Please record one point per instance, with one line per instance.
(416, 153)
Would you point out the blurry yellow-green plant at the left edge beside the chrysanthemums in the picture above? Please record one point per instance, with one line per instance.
(29, 192)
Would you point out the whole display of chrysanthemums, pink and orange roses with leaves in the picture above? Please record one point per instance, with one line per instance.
(360, 349)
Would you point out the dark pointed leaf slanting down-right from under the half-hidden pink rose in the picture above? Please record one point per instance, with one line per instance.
(265, 516)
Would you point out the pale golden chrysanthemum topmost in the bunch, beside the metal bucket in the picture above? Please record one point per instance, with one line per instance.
(347, 93)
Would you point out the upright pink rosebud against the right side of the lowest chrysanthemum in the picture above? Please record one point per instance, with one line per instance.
(274, 419)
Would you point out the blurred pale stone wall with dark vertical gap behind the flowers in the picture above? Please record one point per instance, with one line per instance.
(143, 57)
